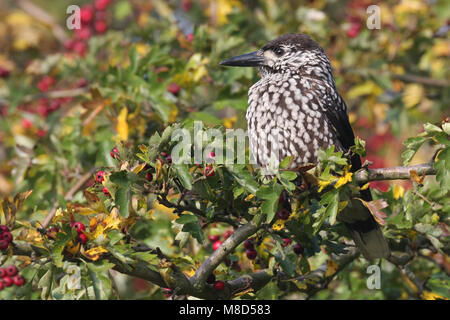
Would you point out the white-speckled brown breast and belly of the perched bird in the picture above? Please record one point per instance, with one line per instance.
(285, 117)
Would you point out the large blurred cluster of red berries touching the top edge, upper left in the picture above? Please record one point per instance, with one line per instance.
(93, 20)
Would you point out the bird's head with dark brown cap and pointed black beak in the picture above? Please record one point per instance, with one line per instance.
(289, 53)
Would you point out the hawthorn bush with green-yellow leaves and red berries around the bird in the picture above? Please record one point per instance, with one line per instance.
(94, 205)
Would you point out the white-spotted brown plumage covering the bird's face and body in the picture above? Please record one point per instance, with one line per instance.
(286, 107)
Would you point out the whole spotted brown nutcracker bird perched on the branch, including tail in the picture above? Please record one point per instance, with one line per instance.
(295, 110)
